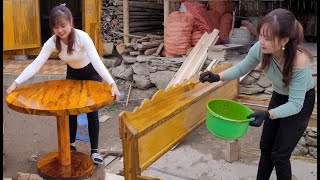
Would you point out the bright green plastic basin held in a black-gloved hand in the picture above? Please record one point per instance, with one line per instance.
(227, 119)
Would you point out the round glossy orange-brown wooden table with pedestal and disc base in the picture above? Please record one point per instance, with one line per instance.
(62, 98)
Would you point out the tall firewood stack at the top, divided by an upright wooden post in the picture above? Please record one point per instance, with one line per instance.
(144, 17)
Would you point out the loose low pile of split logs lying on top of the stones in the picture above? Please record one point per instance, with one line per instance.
(147, 45)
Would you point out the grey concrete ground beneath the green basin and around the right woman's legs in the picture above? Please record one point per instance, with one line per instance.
(199, 157)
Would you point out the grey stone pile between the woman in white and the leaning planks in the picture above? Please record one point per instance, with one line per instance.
(147, 71)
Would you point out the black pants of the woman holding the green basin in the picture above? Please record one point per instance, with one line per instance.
(280, 137)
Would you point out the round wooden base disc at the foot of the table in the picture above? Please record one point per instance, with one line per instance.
(81, 166)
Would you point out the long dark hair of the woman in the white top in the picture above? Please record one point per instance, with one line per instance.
(58, 12)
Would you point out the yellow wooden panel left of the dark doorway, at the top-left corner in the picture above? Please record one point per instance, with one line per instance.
(22, 29)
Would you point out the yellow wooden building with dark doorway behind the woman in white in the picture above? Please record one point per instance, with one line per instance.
(26, 23)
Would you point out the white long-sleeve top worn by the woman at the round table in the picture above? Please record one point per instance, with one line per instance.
(84, 53)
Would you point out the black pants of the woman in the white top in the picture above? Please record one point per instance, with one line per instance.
(86, 73)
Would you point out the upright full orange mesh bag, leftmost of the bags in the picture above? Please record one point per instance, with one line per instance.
(177, 33)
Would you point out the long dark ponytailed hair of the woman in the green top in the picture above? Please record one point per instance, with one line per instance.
(282, 23)
